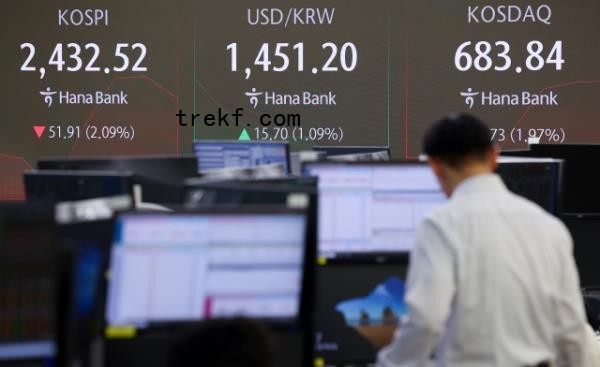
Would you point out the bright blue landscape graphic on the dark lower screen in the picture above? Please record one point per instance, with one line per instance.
(382, 307)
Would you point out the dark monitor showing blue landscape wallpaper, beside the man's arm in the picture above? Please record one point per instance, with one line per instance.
(358, 309)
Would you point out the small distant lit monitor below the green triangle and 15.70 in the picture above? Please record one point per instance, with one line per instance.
(216, 154)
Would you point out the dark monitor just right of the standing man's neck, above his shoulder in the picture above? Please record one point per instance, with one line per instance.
(537, 179)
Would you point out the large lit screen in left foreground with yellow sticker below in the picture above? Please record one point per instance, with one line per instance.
(188, 267)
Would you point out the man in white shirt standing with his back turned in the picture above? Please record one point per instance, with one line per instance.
(492, 280)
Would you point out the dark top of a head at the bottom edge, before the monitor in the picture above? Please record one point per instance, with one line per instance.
(235, 342)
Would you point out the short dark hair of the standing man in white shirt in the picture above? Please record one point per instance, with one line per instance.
(457, 139)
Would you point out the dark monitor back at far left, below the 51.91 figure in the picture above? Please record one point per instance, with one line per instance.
(53, 186)
